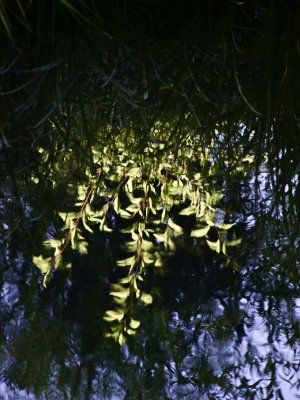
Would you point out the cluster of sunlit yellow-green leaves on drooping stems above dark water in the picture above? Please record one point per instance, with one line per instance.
(150, 197)
